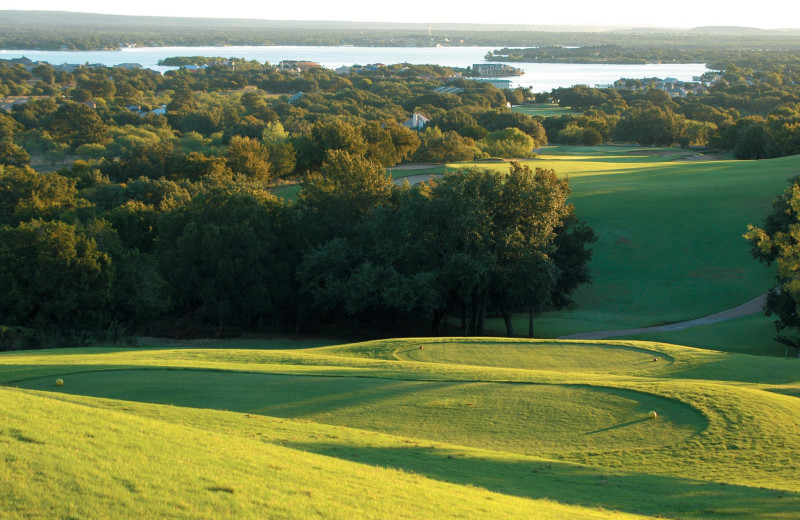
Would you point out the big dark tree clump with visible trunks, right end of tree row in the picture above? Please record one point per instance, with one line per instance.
(474, 240)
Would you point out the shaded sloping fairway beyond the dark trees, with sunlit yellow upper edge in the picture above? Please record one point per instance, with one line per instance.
(670, 231)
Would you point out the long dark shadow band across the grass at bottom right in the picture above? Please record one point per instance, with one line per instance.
(567, 483)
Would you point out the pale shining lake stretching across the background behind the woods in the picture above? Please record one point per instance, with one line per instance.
(542, 77)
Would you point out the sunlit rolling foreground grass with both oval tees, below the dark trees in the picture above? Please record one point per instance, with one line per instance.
(460, 428)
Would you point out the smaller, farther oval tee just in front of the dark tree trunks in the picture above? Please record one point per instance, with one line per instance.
(562, 357)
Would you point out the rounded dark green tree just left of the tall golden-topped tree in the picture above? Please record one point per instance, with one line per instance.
(227, 256)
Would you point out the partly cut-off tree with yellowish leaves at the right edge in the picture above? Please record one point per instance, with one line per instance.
(778, 242)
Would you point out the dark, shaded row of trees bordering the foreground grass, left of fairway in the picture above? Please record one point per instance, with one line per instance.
(82, 256)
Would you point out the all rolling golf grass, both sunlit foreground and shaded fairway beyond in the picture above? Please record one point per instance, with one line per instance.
(454, 427)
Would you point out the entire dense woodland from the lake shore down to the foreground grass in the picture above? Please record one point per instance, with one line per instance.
(151, 208)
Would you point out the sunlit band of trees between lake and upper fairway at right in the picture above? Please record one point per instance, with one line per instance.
(754, 114)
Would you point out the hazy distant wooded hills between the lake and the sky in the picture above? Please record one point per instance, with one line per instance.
(82, 31)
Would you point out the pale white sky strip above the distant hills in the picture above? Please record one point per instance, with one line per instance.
(764, 14)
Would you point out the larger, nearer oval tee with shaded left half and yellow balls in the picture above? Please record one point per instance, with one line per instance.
(522, 418)
